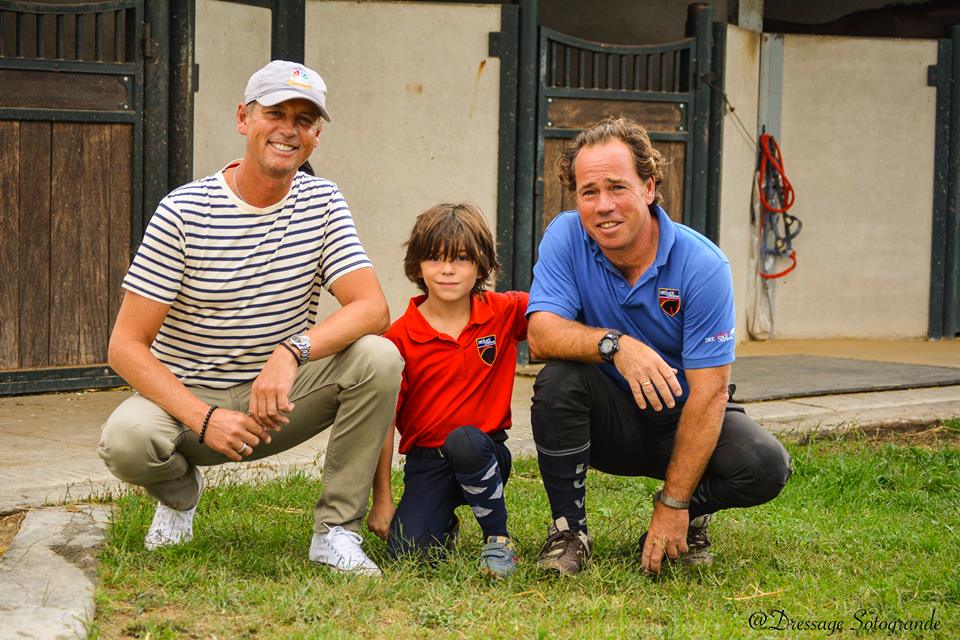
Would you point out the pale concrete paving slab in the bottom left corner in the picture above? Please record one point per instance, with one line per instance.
(49, 574)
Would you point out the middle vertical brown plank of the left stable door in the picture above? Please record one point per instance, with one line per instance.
(65, 190)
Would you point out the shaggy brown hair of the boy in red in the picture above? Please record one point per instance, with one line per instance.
(446, 230)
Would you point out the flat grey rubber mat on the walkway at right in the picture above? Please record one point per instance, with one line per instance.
(778, 377)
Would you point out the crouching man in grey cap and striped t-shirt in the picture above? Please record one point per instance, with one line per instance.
(219, 335)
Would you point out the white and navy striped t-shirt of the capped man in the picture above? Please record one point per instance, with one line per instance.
(239, 279)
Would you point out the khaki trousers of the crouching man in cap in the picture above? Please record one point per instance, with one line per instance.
(353, 392)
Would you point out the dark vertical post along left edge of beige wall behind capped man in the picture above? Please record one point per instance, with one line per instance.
(182, 45)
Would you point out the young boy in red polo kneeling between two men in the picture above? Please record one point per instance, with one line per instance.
(459, 343)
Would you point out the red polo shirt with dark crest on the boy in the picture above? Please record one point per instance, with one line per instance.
(448, 383)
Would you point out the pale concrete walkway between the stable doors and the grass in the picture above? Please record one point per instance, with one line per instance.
(48, 457)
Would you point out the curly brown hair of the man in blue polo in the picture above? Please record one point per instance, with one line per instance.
(649, 161)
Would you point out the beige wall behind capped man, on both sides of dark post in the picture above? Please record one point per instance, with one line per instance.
(414, 98)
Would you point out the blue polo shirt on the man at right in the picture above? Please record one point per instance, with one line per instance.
(682, 305)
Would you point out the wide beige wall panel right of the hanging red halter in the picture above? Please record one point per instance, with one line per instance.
(857, 138)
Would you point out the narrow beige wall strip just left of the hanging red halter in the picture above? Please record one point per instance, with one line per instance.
(741, 79)
